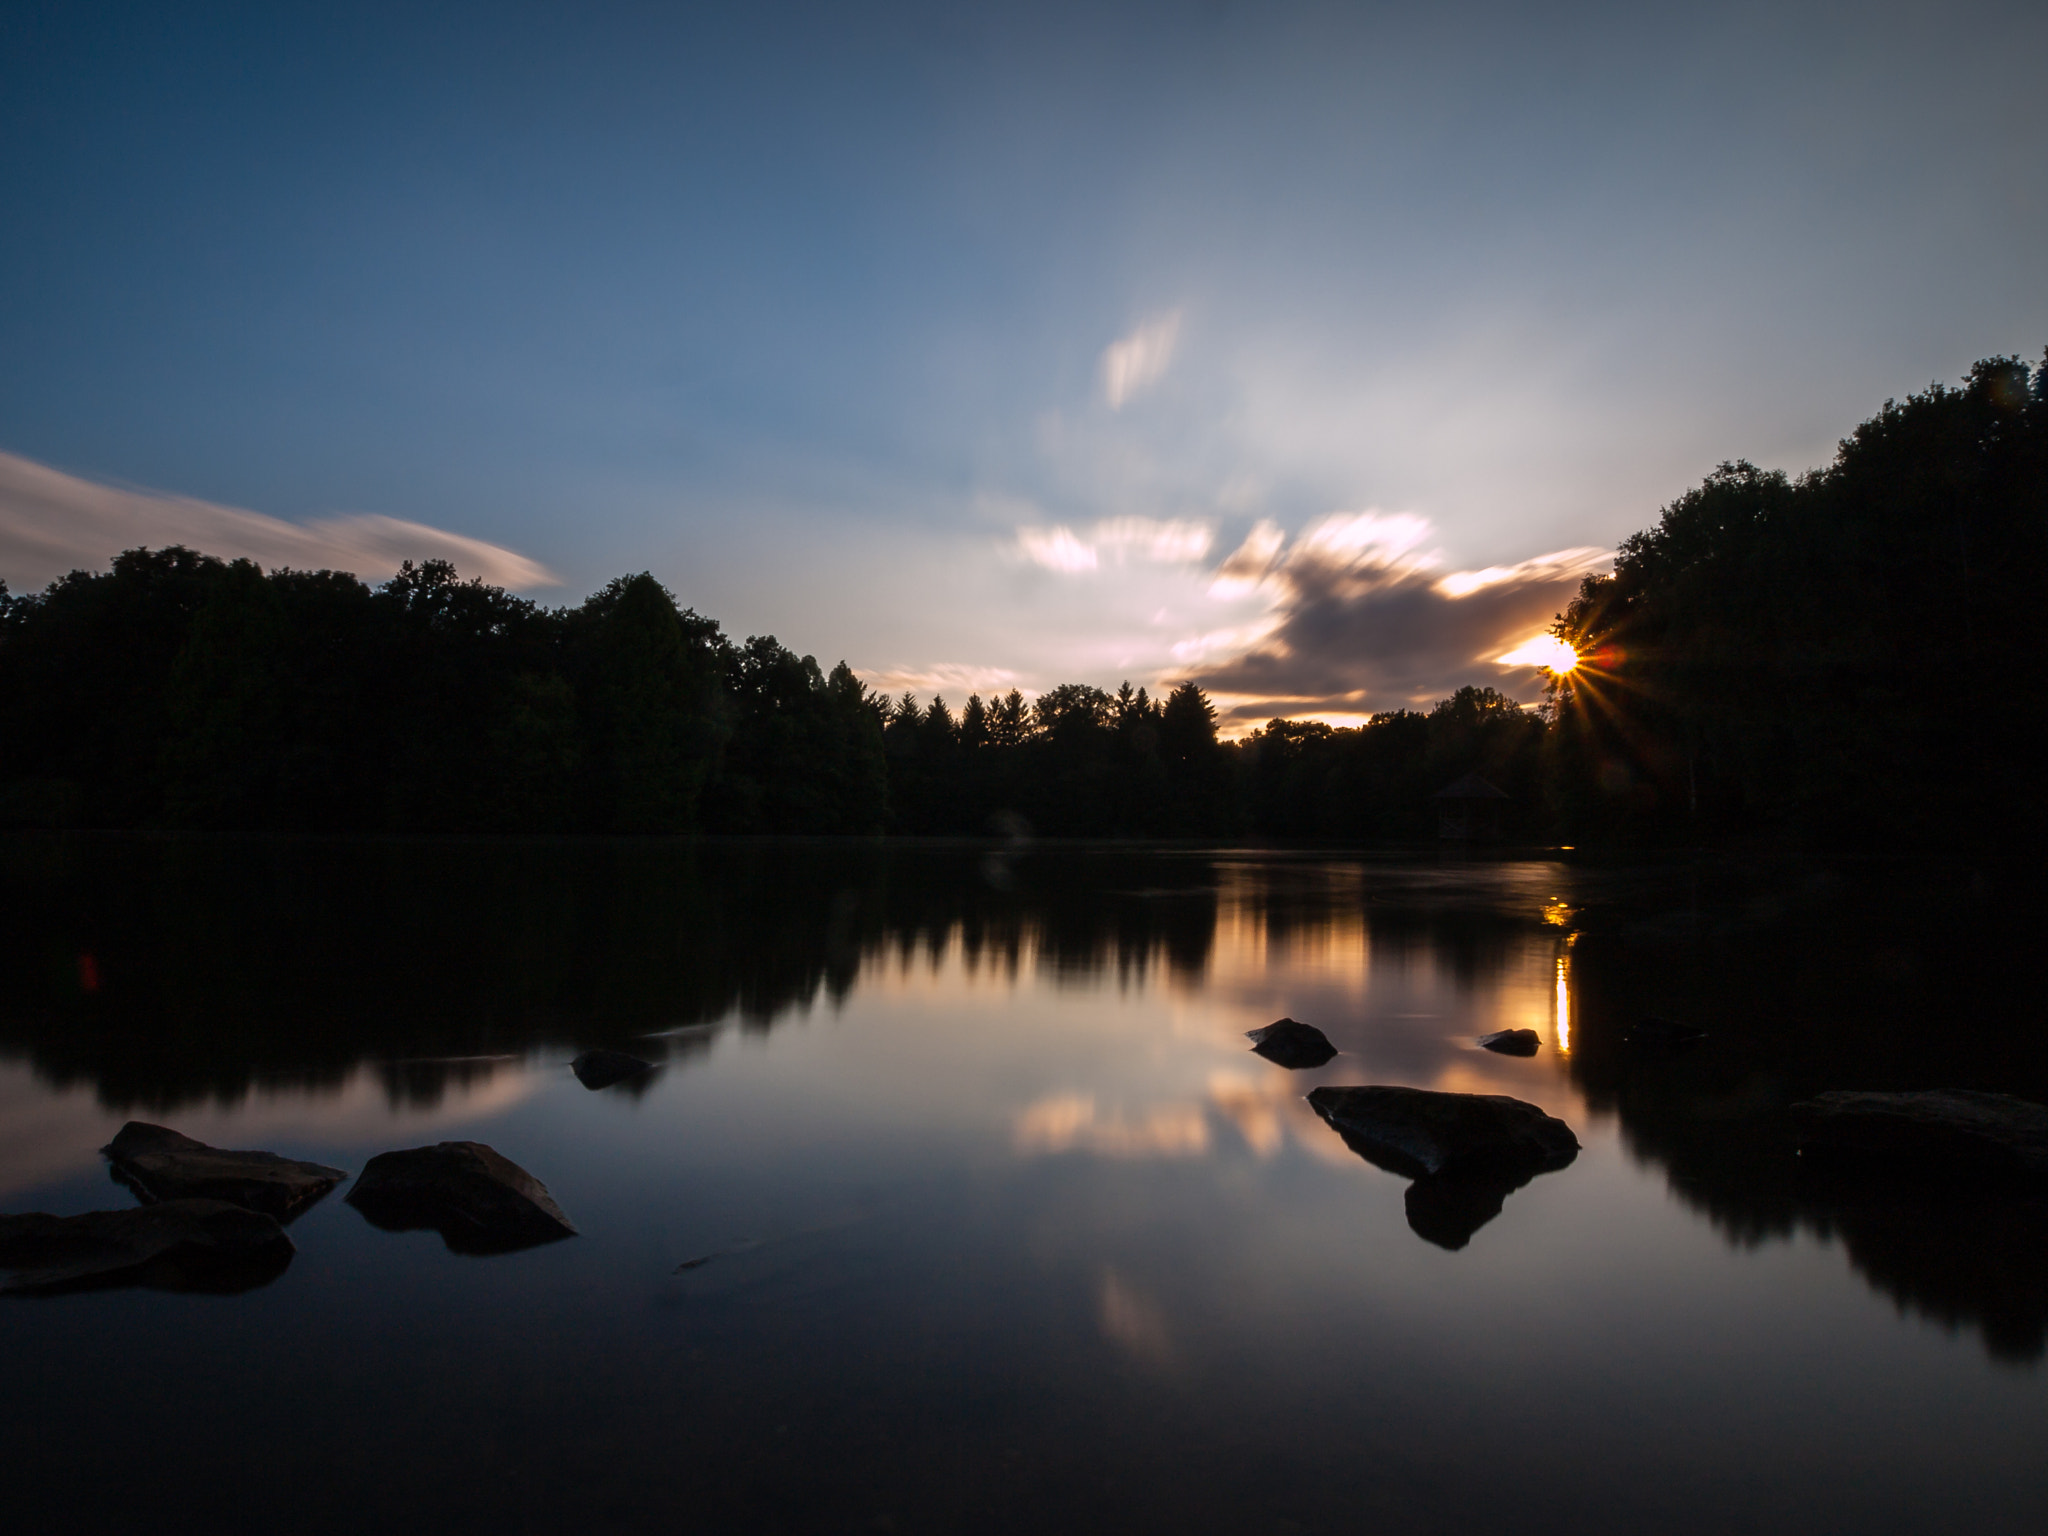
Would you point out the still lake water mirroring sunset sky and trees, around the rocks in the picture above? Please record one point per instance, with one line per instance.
(1007, 1228)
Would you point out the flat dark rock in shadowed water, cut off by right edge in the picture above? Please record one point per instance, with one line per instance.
(1936, 1129)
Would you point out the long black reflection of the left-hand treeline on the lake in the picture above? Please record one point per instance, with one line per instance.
(175, 970)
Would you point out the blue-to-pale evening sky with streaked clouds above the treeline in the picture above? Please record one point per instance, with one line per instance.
(1308, 351)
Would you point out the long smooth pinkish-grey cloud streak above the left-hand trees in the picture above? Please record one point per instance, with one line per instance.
(56, 523)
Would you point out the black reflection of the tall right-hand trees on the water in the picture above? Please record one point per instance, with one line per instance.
(1803, 1007)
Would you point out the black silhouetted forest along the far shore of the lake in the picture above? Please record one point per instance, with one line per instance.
(1848, 656)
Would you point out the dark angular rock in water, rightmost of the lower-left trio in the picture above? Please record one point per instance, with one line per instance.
(474, 1197)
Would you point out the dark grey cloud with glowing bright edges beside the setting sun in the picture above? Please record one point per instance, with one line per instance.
(1365, 620)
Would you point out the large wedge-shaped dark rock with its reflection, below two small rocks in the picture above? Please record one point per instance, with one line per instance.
(1465, 1152)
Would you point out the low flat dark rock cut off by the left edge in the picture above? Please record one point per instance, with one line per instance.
(169, 1246)
